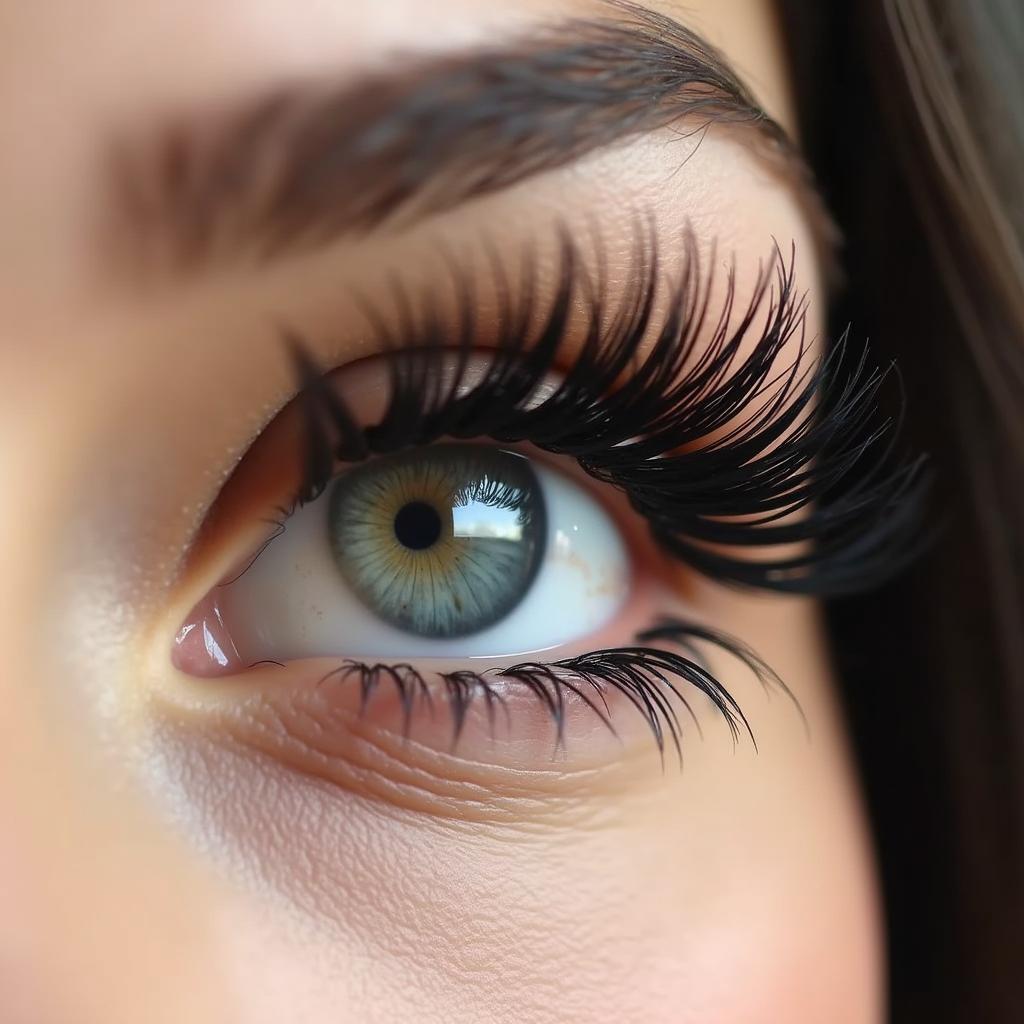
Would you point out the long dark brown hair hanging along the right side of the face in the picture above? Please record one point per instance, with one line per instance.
(914, 117)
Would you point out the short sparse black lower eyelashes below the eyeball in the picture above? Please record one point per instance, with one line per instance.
(644, 674)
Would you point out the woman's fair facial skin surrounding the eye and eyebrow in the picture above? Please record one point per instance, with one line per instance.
(176, 849)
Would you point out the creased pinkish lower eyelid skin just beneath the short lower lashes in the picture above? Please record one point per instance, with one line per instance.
(321, 734)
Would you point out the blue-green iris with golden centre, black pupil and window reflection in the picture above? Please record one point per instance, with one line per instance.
(442, 541)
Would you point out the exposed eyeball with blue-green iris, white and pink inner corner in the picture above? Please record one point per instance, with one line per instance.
(446, 551)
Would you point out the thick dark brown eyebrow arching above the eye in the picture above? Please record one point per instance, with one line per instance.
(308, 163)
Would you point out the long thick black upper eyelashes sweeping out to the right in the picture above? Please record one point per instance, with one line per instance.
(714, 443)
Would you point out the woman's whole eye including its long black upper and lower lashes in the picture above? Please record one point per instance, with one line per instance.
(482, 543)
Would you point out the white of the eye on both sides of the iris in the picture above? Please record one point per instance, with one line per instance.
(294, 602)
